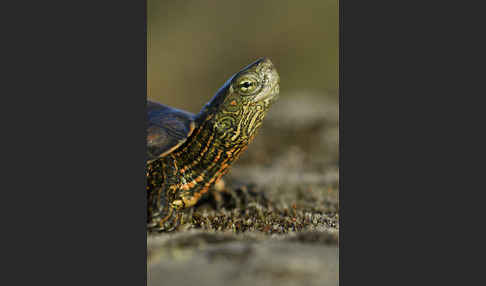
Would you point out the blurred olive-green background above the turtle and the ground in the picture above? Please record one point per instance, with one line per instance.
(195, 46)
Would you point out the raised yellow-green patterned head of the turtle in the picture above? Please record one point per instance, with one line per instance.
(239, 106)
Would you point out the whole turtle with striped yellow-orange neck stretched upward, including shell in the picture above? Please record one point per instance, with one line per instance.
(187, 154)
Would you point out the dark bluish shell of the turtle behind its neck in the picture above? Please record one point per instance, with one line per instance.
(167, 129)
